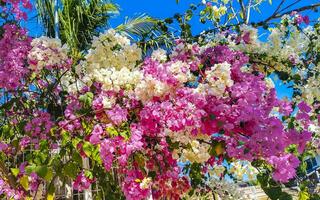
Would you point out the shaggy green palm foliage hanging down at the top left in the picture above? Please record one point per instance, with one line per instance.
(79, 20)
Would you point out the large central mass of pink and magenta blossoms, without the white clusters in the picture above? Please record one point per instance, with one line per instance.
(133, 136)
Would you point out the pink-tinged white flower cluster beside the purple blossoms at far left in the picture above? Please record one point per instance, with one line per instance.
(47, 53)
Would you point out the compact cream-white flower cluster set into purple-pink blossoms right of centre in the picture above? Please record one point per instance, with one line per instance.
(218, 79)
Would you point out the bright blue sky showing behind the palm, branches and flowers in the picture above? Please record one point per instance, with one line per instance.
(167, 8)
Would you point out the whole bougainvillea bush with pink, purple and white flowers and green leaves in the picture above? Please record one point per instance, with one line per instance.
(160, 126)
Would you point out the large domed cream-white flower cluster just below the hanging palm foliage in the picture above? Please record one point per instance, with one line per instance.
(111, 62)
